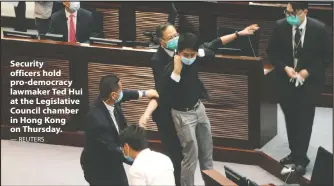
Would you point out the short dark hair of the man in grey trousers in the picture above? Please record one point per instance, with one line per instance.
(188, 41)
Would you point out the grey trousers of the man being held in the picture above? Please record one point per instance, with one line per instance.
(194, 131)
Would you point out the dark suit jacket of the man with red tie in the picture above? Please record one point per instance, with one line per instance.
(84, 28)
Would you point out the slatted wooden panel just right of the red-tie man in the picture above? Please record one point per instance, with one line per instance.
(110, 22)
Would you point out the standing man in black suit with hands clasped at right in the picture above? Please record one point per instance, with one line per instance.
(300, 50)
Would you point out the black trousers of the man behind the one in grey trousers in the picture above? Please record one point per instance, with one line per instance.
(171, 144)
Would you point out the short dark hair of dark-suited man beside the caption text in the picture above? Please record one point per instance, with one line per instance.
(108, 84)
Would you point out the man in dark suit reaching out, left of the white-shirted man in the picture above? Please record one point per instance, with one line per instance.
(102, 158)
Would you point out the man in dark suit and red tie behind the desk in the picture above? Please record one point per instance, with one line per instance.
(73, 22)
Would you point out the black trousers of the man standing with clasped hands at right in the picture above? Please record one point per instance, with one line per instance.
(299, 117)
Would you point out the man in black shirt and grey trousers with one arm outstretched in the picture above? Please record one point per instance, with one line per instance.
(180, 89)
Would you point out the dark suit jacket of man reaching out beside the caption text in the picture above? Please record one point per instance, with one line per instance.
(102, 158)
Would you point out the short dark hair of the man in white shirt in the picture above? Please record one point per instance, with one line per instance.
(135, 137)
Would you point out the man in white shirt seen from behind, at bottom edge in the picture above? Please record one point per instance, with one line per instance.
(149, 167)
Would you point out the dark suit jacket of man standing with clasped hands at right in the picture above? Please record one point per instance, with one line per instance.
(315, 56)
